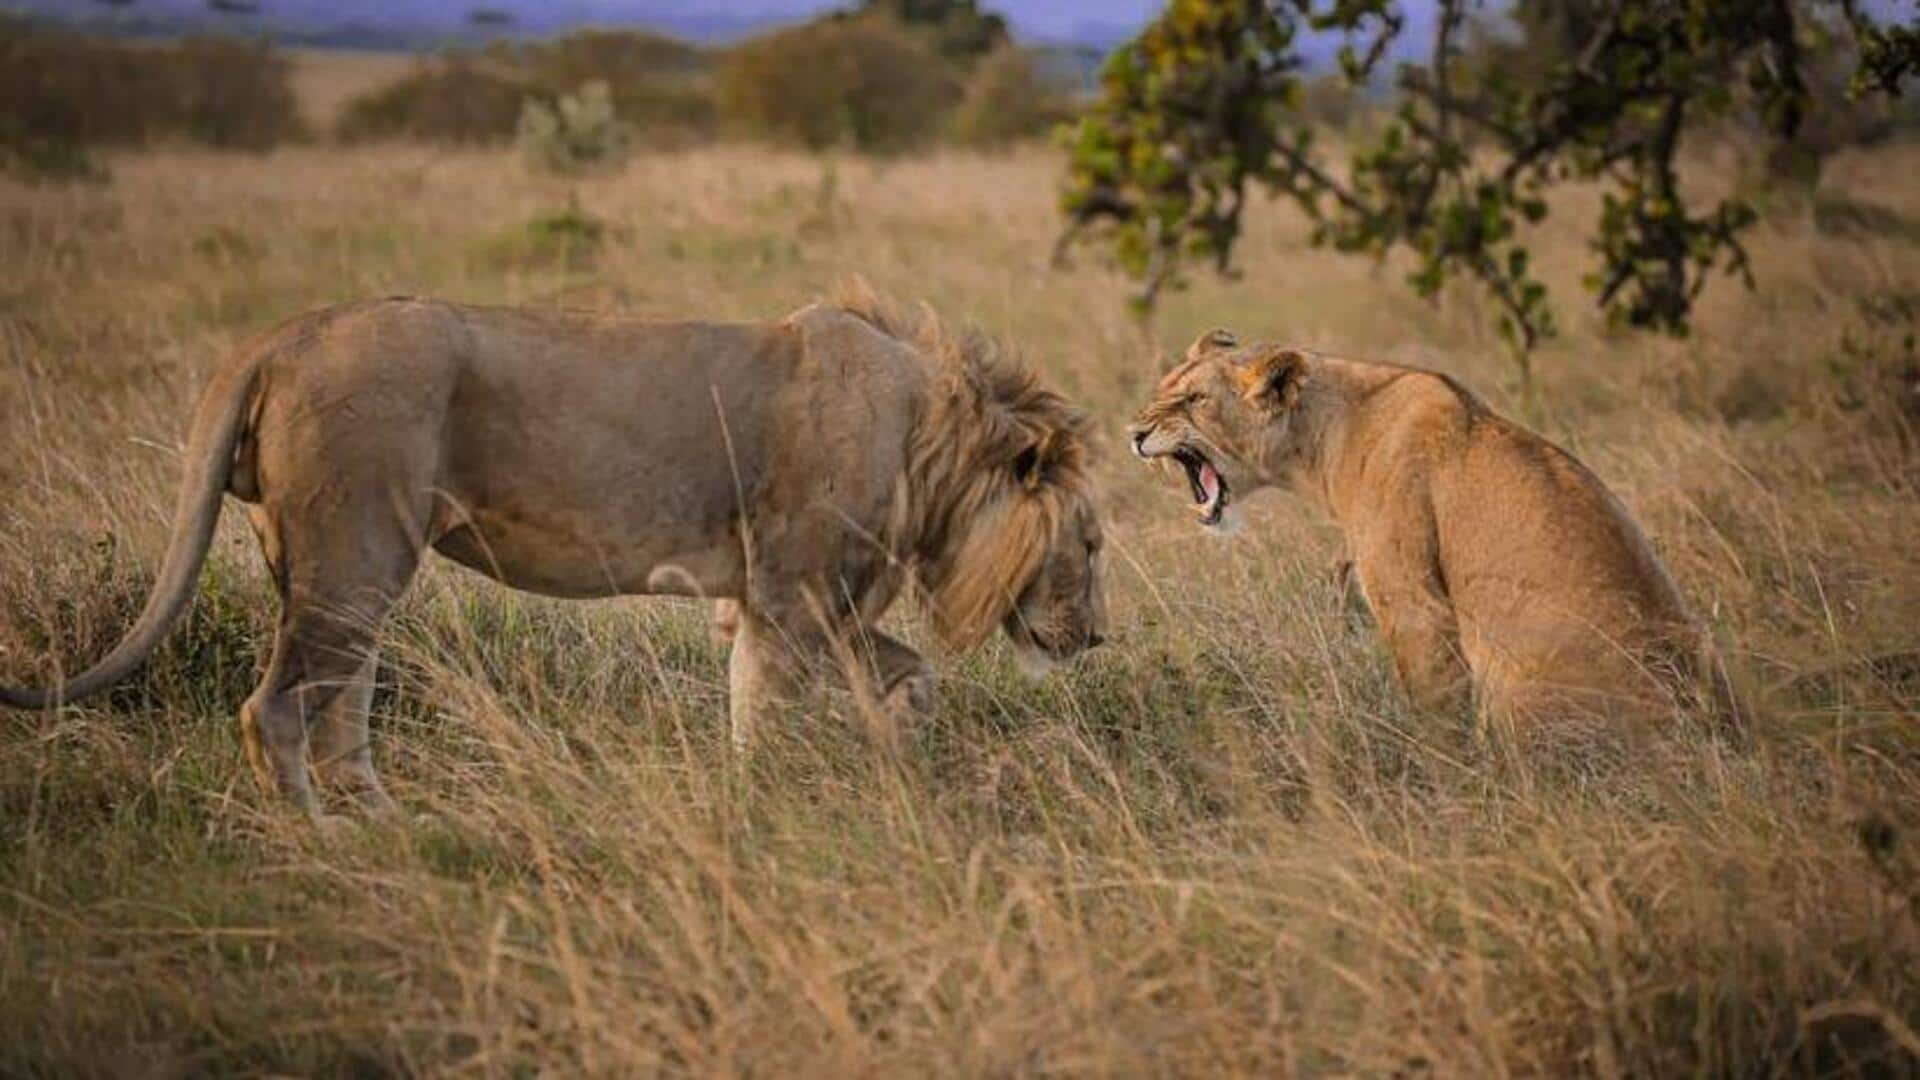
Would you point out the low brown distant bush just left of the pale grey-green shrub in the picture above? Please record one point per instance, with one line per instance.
(452, 101)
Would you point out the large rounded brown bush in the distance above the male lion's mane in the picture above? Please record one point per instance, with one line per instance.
(853, 82)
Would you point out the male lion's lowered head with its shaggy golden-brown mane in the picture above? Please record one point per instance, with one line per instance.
(1007, 529)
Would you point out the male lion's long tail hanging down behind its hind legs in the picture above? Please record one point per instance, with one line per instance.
(210, 453)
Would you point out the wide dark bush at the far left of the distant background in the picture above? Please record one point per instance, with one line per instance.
(62, 93)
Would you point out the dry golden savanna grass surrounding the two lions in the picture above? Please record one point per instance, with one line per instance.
(1216, 845)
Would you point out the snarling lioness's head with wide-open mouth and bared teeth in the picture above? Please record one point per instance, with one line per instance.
(1230, 418)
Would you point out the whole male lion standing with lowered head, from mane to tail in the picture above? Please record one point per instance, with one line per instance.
(804, 470)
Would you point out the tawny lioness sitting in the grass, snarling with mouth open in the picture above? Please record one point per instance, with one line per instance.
(1491, 558)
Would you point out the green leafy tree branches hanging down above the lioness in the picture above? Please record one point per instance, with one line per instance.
(1205, 101)
